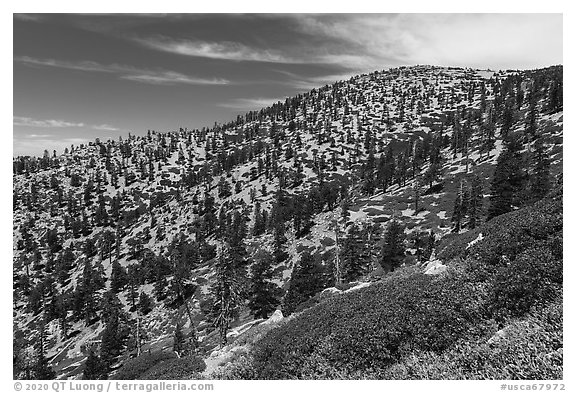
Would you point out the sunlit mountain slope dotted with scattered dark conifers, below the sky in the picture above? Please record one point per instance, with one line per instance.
(152, 214)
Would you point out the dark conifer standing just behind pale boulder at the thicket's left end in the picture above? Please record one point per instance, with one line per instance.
(264, 294)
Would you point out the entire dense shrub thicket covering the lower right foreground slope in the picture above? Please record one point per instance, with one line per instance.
(395, 328)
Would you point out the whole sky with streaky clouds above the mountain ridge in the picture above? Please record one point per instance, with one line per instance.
(77, 77)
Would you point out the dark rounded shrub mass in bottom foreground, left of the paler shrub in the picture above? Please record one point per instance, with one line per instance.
(372, 326)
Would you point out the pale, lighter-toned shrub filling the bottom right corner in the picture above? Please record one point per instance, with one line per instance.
(531, 349)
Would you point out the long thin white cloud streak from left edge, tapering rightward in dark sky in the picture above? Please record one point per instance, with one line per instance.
(155, 77)
